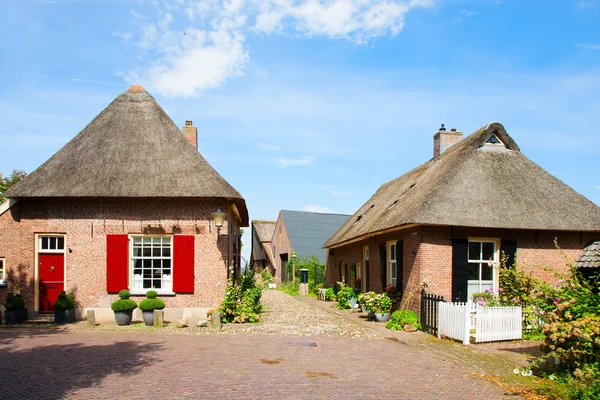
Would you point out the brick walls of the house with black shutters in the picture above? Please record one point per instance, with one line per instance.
(428, 255)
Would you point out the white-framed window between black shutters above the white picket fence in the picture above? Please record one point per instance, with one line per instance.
(482, 258)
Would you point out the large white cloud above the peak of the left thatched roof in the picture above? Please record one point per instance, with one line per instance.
(198, 45)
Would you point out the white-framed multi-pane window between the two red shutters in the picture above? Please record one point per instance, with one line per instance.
(151, 263)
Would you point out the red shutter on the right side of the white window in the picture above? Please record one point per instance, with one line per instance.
(183, 264)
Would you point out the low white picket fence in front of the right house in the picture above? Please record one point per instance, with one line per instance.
(460, 321)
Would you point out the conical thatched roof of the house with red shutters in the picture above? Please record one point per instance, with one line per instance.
(131, 149)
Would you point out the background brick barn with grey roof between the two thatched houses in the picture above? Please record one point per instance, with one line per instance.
(302, 233)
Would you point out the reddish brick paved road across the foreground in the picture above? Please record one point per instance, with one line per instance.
(72, 364)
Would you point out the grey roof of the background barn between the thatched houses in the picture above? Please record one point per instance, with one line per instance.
(308, 231)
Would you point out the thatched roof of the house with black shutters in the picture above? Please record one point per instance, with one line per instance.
(474, 185)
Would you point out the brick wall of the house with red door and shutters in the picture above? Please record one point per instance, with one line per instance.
(85, 224)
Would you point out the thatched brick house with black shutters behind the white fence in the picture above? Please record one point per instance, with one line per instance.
(447, 222)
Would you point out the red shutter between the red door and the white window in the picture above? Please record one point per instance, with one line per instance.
(117, 263)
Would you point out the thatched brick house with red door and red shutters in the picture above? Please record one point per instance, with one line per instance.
(128, 203)
